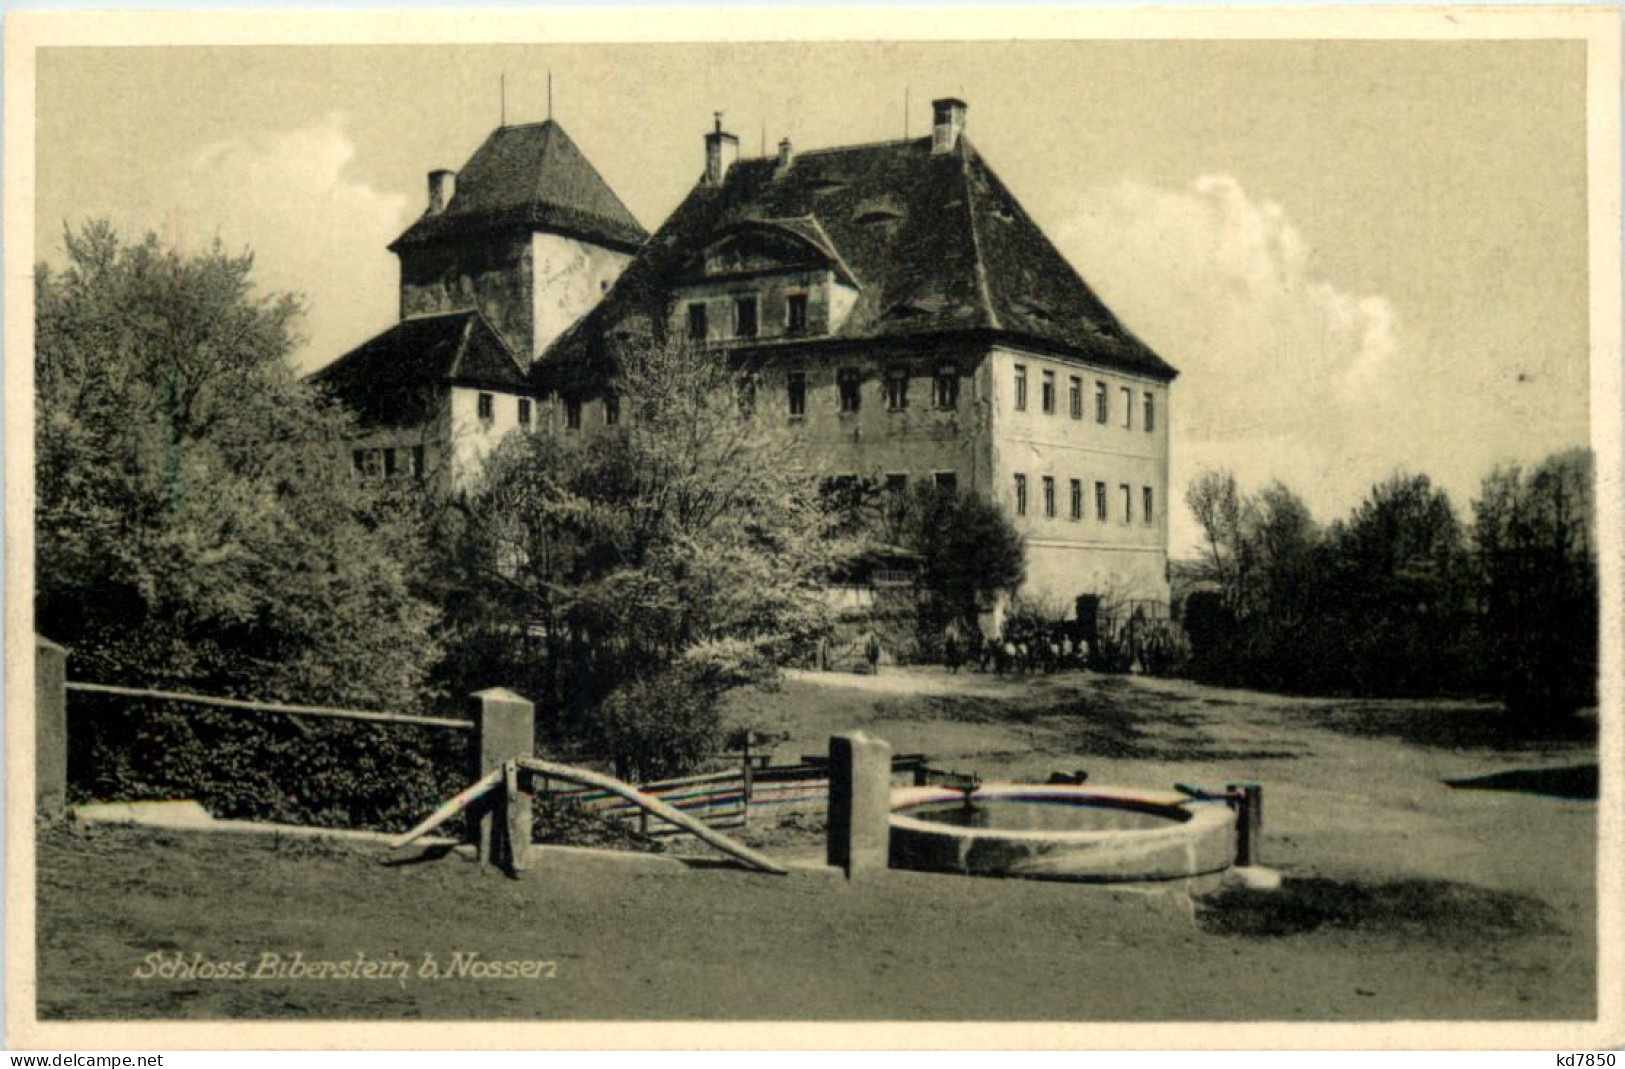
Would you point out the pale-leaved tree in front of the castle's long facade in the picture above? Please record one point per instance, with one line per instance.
(651, 566)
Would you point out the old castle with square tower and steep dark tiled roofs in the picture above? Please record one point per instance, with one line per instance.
(901, 314)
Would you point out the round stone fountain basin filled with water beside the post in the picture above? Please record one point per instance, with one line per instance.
(1090, 834)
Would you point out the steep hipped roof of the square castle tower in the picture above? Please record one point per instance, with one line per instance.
(531, 176)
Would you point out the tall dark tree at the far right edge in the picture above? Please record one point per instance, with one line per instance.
(1535, 542)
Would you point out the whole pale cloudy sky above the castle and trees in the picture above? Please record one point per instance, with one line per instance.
(1363, 258)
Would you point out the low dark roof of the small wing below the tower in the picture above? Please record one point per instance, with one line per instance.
(392, 378)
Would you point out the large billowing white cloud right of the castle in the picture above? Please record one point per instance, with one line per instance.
(1285, 373)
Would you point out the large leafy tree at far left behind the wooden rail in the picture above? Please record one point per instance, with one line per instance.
(196, 519)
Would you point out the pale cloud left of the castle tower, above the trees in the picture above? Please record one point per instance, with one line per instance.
(314, 228)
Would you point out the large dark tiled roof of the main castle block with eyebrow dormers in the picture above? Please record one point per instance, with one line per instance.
(937, 245)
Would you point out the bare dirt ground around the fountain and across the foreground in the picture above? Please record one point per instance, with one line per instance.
(1405, 899)
